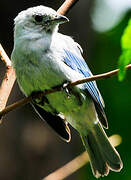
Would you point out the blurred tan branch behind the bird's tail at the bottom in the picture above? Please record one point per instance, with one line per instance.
(77, 163)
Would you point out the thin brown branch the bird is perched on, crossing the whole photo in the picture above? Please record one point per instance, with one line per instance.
(41, 94)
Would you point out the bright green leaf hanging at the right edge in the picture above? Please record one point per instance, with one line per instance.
(125, 57)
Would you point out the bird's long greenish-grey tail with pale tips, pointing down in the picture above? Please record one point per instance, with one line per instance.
(102, 154)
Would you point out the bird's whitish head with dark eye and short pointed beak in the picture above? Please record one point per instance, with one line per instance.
(38, 19)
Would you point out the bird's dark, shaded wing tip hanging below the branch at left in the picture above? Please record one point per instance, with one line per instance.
(58, 123)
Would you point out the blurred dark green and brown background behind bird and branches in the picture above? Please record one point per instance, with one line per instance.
(29, 149)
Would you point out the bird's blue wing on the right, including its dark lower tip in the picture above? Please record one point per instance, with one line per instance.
(77, 63)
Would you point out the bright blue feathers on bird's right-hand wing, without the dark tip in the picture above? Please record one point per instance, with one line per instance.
(78, 64)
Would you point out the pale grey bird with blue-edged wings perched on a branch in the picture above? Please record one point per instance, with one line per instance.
(43, 58)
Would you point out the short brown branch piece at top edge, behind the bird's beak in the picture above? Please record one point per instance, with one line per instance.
(66, 6)
